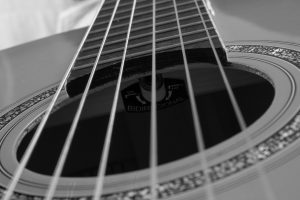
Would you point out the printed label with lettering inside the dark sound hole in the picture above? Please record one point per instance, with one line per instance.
(135, 101)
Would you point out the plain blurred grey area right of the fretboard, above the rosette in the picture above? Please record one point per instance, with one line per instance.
(258, 19)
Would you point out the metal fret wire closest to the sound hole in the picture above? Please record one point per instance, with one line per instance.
(165, 48)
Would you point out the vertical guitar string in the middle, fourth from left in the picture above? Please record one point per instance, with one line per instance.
(153, 131)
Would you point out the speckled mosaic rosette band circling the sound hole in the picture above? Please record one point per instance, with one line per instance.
(278, 141)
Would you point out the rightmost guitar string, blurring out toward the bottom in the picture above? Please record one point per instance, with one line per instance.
(266, 184)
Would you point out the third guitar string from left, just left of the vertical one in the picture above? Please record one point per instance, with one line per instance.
(105, 152)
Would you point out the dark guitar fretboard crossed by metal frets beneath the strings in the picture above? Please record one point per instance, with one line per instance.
(140, 42)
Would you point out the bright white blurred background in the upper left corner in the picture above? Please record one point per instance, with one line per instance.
(22, 21)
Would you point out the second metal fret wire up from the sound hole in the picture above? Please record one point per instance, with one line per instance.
(140, 44)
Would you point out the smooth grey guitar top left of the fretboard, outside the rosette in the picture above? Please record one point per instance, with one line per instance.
(30, 64)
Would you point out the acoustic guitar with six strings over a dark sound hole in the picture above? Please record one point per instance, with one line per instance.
(149, 102)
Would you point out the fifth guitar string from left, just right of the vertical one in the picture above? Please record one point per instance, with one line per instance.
(196, 118)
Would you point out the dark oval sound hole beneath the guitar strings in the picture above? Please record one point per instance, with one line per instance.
(130, 143)
